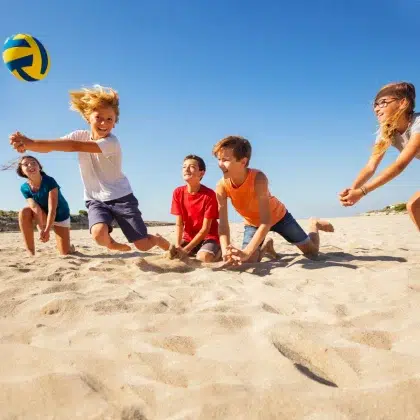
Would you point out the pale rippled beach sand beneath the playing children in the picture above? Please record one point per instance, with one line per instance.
(100, 335)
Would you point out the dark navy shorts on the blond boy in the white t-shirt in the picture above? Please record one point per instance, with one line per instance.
(125, 211)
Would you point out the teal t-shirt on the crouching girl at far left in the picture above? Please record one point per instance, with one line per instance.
(41, 197)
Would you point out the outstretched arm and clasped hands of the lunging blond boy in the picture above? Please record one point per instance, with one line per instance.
(19, 141)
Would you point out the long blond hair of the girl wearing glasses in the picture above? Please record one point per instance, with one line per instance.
(388, 128)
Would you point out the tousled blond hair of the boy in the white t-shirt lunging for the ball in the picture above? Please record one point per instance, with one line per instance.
(88, 100)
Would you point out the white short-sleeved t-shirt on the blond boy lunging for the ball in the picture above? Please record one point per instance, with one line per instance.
(101, 172)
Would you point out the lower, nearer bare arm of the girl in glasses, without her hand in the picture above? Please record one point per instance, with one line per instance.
(405, 157)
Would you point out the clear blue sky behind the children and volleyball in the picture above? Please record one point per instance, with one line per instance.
(296, 78)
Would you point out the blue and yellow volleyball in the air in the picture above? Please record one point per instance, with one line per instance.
(26, 57)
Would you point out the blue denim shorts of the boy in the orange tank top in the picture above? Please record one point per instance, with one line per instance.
(287, 227)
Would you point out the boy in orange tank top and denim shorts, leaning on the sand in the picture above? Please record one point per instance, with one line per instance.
(248, 191)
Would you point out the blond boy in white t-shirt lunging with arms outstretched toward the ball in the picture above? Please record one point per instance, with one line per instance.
(107, 191)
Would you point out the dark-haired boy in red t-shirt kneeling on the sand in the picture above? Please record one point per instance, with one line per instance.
(196, 210)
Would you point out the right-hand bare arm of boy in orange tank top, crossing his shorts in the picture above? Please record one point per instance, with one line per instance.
(261, 190)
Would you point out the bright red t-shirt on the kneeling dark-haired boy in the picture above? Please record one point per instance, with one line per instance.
(193, 208)
